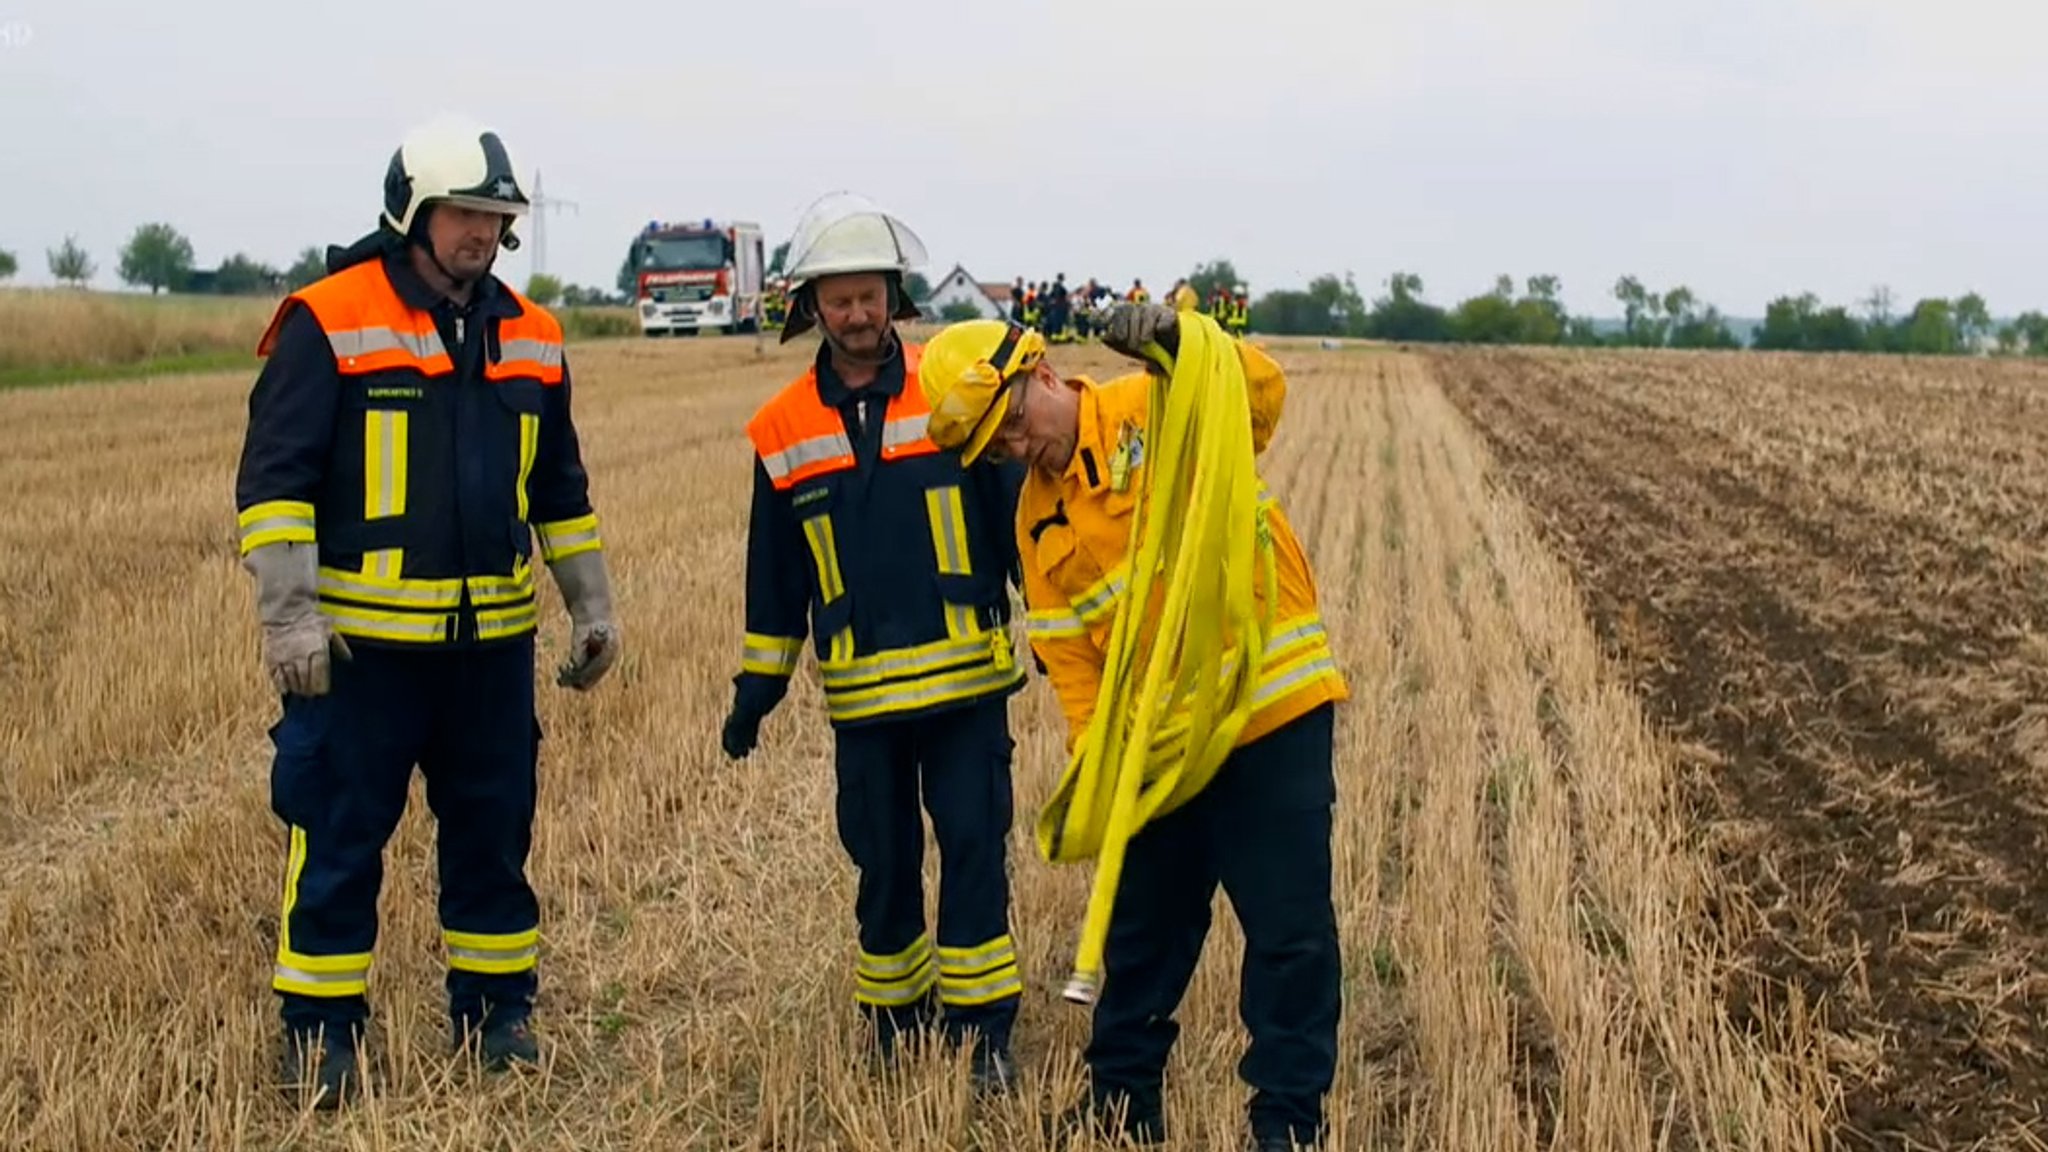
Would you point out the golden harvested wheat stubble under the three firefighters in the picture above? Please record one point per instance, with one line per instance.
(1527, 956)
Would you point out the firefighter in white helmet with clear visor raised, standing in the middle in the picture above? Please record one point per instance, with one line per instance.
(896, 563)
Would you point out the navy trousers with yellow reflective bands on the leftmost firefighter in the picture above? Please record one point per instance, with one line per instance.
(466, 718)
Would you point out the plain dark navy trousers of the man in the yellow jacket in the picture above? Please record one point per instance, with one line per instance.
(1261, 829)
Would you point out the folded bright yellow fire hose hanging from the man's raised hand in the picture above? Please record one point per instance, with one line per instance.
(1175, 698)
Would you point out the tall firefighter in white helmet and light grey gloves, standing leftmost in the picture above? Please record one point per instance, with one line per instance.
(409, 438)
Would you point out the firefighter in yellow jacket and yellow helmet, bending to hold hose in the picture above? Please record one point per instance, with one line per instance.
(1263, 825)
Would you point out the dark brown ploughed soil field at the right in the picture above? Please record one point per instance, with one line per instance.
(1830, 583)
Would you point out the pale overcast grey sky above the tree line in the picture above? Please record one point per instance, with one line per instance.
(1744, 147)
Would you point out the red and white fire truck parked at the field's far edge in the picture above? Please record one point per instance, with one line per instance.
(699, 276)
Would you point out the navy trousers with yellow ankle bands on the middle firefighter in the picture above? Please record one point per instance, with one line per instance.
(959, 762)
